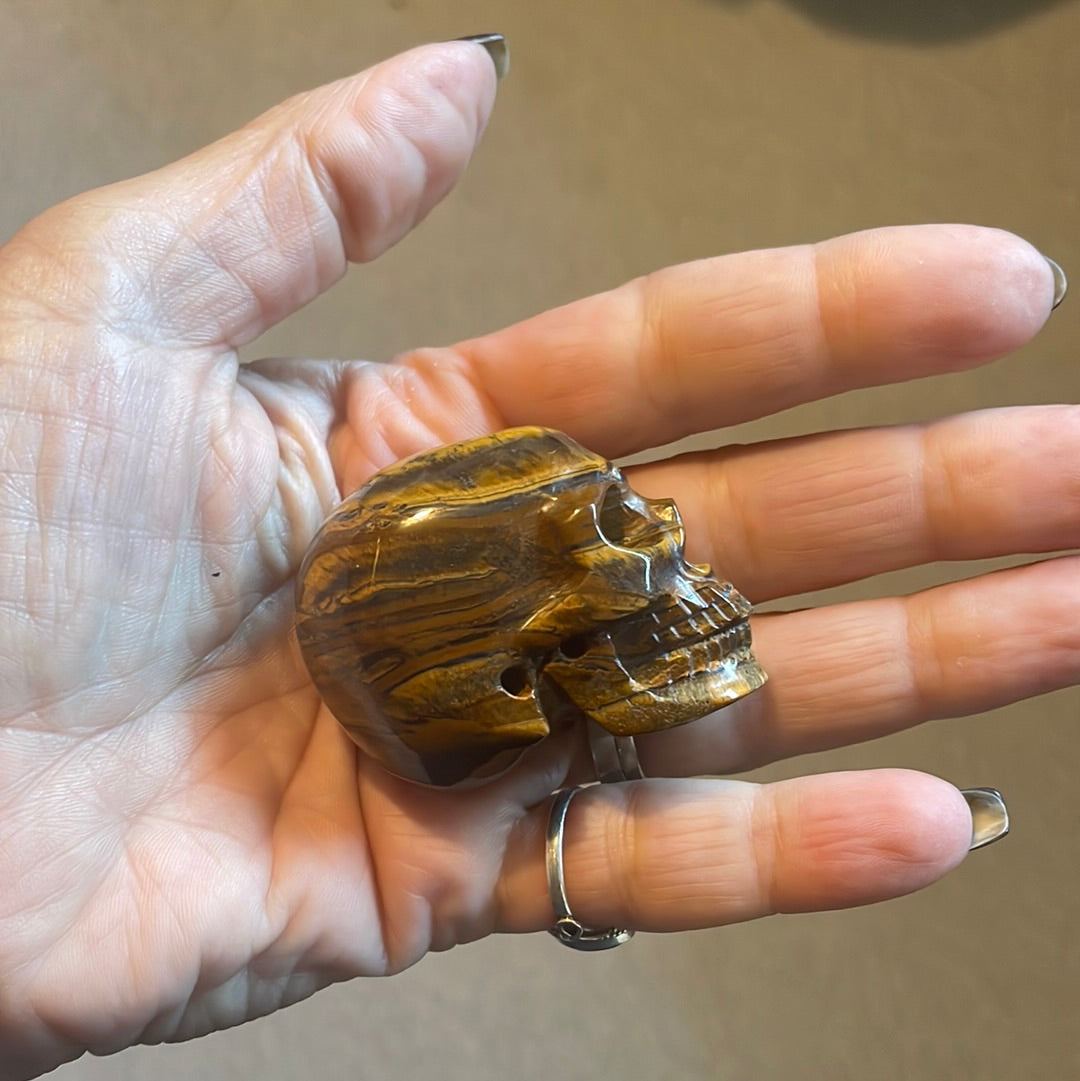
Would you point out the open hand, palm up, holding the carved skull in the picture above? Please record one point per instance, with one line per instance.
(189, 840)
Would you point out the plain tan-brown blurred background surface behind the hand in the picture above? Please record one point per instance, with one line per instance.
(630, 136)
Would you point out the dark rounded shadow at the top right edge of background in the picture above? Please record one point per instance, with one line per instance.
(923, 21)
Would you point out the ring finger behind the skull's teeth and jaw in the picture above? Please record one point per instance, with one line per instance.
(851, 673)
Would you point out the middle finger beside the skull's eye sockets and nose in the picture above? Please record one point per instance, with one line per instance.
(807, 514)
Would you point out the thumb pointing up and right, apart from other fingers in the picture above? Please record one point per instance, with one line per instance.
(217, 248)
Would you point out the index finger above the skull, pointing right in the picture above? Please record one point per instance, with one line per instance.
(715, 343)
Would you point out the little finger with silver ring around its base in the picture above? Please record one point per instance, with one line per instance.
(675, 856)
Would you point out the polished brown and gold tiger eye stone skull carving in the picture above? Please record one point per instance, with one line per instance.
(473, 599)
